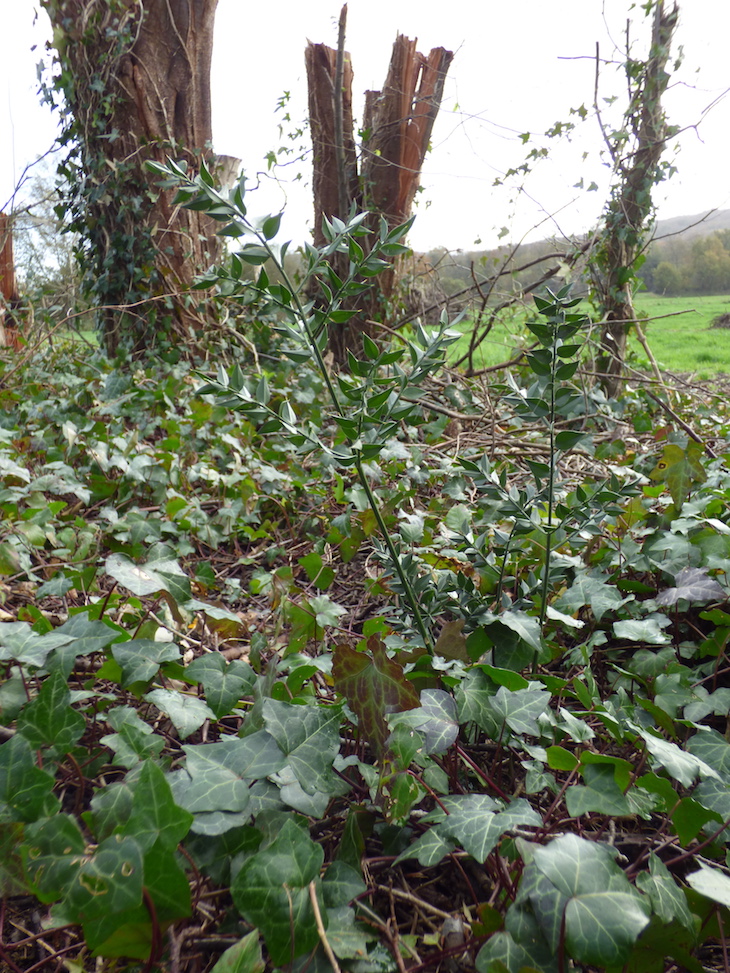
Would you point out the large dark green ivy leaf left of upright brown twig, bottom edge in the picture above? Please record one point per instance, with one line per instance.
(271, 891)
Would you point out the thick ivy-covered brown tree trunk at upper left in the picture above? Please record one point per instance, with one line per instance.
(135, 84)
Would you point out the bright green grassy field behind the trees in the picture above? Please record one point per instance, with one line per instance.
(678, 331)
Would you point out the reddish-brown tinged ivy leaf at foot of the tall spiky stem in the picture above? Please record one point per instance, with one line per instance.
(374, 686)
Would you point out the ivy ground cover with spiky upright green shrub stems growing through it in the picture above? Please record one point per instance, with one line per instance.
(272, 652)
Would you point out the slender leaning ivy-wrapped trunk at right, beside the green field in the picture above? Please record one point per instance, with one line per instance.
(636, 153)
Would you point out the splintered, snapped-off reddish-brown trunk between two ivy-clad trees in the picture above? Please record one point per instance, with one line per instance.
(398, 122)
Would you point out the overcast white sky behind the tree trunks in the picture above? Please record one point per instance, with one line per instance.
(520, 65)
